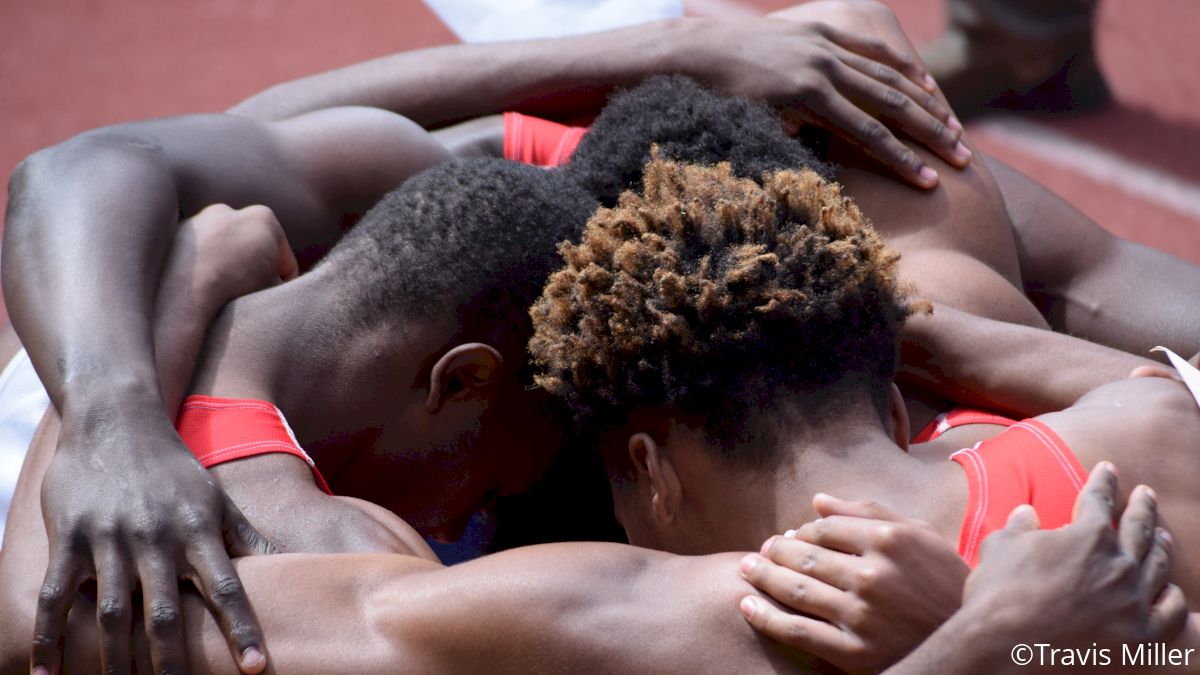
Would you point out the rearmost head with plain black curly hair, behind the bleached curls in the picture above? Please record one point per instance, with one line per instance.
(689, 124)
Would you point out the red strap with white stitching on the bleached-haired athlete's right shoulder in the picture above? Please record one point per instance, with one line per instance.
(1028, 464)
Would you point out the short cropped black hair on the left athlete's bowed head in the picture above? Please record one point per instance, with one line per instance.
(473, 237)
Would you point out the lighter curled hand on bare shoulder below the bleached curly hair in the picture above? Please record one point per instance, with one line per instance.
(869, 583)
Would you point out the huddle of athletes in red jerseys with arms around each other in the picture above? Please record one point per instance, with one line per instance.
(735, 321)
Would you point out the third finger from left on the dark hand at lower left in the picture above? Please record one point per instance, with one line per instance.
(161, 614)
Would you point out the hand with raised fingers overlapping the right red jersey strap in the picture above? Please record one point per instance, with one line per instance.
(1085, 584)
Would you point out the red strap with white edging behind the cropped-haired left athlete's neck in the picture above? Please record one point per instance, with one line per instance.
(220, 431)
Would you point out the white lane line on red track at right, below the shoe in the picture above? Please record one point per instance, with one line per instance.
(1095, 163)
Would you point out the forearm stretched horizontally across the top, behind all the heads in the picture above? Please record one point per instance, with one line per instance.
(442, 85)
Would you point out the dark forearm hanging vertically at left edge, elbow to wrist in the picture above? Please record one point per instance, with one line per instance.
(88, 229)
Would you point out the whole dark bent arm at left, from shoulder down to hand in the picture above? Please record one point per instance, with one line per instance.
(88, 228)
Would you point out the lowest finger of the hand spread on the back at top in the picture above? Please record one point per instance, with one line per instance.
(873, 139)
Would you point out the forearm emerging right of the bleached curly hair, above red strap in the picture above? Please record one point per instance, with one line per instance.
(1006, 367)
